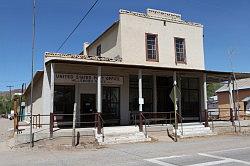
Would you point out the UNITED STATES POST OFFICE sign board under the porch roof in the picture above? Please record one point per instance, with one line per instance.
(80, 78)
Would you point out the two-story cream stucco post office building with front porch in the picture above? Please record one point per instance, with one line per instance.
(132, 66)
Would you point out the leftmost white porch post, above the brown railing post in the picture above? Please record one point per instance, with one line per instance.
(52, 86)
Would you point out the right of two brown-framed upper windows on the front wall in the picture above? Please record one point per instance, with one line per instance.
(180, 51)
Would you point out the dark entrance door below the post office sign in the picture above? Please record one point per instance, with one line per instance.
(88, 108)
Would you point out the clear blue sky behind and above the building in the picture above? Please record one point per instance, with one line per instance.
(226, 27)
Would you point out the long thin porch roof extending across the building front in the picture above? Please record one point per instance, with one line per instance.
(212, 76)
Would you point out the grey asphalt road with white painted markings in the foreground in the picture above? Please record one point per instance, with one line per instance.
(217, 150)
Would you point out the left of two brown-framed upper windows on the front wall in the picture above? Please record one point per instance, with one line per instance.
(151, 47)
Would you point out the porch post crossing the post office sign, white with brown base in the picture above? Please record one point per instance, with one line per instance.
(99, 99)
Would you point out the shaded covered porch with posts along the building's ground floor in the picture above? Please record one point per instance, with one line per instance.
(123, 94)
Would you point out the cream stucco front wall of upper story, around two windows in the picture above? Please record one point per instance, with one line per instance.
(133, 29)
